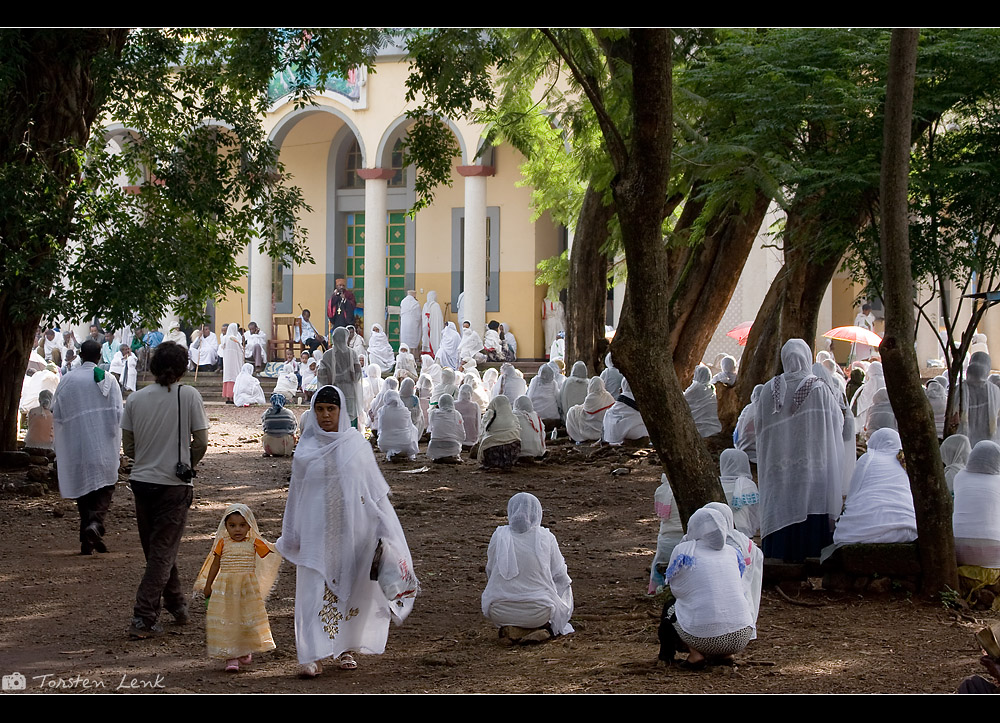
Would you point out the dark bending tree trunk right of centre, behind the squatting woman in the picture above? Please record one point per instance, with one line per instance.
(639, 192)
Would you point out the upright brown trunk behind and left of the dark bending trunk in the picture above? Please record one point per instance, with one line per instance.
(588, 282)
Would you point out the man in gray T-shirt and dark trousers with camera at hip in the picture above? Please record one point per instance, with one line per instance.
(165, 430)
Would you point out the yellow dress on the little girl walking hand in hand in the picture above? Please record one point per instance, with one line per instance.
(236, 623)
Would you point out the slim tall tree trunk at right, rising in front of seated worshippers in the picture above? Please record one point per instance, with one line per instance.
(931, 499)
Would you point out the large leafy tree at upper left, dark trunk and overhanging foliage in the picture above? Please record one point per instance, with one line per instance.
(203, 181)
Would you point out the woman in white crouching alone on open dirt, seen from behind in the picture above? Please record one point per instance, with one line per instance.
(527, 584)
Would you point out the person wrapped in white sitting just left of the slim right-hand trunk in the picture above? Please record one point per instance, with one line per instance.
(879, 506)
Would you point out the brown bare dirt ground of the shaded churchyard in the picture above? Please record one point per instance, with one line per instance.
(63, 616)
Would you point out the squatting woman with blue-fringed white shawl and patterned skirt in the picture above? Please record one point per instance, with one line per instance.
(710, 616)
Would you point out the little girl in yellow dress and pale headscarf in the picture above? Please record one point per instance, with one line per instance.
(236, 577)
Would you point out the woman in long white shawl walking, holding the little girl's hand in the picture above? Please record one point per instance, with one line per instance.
(337, 513)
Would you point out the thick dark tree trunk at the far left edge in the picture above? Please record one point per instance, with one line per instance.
(51, 104)
